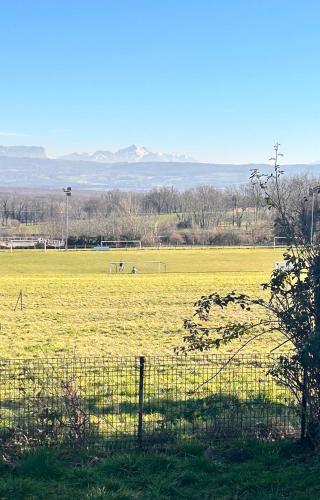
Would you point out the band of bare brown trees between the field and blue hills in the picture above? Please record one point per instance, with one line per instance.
(199, 216)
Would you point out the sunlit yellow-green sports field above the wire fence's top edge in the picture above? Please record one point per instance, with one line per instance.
(72, 305)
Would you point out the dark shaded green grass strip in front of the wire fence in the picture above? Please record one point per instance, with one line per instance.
(253, 471)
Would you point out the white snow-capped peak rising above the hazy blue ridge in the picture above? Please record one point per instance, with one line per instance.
(132, 154)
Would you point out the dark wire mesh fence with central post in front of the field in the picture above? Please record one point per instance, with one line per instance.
(140, 401)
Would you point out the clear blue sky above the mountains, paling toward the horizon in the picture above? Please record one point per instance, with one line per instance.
(218, 80)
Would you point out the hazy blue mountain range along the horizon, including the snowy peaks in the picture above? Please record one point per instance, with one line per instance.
(29, 167)
